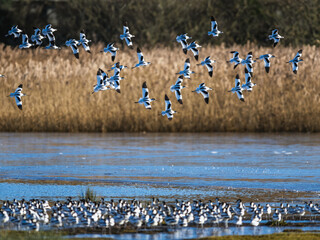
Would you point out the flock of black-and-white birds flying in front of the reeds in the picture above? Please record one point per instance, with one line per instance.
(104, 82)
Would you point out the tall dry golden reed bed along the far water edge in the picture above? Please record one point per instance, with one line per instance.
(59, 88)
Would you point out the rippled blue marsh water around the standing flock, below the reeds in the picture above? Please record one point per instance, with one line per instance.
(254, 167)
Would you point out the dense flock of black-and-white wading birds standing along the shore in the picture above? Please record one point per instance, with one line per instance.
(34, 214)
